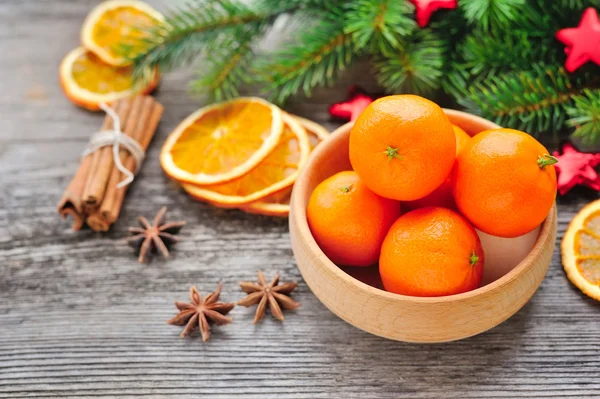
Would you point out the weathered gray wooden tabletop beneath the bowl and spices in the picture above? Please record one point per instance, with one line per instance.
(80, 317)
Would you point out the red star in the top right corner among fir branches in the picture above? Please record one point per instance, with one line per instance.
(583, 42)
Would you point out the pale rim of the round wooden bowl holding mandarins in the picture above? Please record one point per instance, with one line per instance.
(300, 198)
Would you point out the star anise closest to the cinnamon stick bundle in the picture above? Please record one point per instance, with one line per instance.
(156, 236)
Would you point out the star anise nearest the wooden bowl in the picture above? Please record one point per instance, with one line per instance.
(272, 295)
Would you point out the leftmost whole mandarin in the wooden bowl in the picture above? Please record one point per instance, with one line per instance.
(349, 221)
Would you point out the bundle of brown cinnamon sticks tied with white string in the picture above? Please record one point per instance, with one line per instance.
(93, 196)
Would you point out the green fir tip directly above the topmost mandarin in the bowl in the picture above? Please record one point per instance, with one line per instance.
(416, 67)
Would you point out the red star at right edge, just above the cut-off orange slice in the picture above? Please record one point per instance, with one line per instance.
(576, 168)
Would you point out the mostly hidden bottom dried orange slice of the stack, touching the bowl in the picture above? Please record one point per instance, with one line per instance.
(278, 204)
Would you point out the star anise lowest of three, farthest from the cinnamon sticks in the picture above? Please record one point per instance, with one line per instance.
(200, 311)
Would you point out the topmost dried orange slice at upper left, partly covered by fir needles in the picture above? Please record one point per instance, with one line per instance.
(116, 25)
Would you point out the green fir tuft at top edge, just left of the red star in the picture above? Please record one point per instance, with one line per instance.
(378, 24)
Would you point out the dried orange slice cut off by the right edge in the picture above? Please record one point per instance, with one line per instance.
(580, 249)
